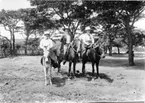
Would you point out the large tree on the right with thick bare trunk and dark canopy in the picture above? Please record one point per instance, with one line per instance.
(127, 13)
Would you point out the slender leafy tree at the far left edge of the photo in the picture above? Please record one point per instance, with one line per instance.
(9, 20)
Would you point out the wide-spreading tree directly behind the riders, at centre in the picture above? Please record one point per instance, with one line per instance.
(63, 13)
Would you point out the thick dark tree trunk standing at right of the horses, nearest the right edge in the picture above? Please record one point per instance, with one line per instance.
(130, 44)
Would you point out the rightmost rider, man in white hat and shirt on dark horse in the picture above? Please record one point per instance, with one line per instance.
(86, 40)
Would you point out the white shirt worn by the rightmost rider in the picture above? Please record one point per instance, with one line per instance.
(87, 39)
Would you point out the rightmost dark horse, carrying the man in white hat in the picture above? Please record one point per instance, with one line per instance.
(92, 54)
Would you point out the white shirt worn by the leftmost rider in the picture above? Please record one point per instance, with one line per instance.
(46, 44)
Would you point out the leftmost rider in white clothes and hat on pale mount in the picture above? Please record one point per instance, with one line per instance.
(46, 44)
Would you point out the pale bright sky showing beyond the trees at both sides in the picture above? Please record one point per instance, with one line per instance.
(17, 4)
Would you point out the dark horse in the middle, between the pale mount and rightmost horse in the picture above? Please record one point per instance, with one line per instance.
(72, 55)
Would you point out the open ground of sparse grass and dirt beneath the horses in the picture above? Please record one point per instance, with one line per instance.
(22, 81)
